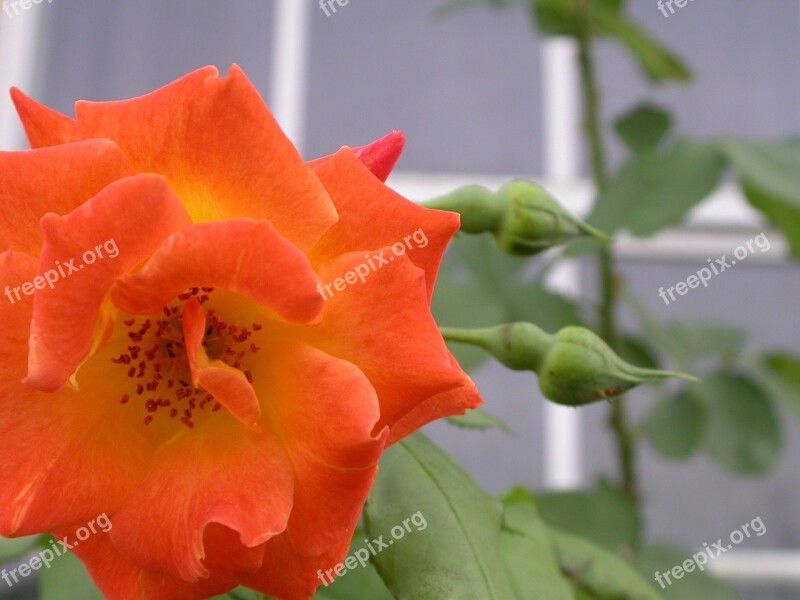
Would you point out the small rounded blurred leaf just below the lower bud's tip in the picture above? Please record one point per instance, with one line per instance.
(675, 426)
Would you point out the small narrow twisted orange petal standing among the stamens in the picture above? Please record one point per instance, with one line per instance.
(229, 386)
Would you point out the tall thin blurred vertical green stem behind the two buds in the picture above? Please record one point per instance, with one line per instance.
(624, 435)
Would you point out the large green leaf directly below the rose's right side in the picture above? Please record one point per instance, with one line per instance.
(457, 555)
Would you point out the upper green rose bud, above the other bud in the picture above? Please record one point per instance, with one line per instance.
(523, 218)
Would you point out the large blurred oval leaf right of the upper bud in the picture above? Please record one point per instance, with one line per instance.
(656, 189)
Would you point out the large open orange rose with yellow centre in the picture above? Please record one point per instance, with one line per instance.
(207, 339)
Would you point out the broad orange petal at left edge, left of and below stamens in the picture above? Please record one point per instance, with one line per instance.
(66, 457)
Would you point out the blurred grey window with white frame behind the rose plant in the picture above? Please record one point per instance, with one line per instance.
(481, 99)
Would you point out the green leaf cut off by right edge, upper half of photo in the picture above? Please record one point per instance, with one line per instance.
(770, 178)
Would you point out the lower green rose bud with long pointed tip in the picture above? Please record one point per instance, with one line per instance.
(574, 366)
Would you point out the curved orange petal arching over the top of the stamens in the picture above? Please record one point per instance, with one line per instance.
(242, 255)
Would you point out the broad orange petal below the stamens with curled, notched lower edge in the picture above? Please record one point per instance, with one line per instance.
(220, 474)
